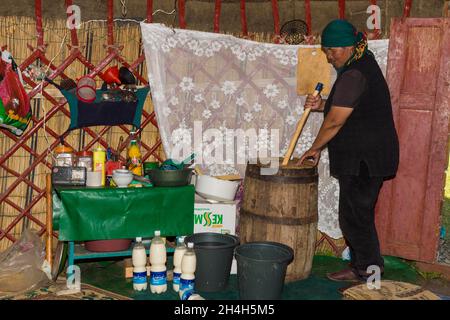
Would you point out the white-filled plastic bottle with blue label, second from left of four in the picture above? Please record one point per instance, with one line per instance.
(158, 271)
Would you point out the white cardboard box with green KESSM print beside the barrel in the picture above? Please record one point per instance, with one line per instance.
(215, 217)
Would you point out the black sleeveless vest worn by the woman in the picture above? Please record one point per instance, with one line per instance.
(369, 133)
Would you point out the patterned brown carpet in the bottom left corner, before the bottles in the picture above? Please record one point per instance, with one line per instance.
(50, 292)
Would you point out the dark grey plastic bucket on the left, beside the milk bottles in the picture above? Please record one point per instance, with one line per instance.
(214, 252)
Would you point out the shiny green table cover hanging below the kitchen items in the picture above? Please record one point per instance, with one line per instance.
(119, 213)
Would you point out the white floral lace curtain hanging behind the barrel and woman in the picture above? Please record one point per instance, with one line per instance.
(206, 87)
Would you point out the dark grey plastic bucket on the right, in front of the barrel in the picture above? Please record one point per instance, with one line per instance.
(261, 269)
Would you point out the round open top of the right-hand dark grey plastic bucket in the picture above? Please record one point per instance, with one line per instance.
(284, 253)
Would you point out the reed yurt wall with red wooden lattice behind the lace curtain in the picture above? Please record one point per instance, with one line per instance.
(25, 205)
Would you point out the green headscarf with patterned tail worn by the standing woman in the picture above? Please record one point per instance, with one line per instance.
(341, 33)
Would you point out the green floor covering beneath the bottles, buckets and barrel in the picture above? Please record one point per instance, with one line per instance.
(110, 275)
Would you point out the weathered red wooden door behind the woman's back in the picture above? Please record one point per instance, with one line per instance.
(418, 73)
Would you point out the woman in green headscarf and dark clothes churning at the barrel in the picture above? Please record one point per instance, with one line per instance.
(359, 130)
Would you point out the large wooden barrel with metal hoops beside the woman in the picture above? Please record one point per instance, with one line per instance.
(282, 208)
